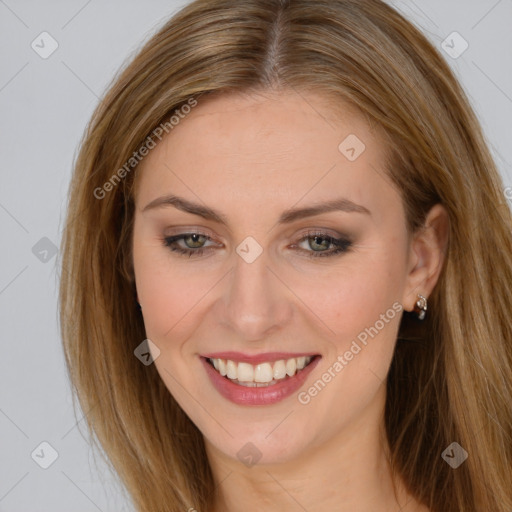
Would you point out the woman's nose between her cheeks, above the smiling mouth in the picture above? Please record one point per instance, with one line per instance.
(255, 303)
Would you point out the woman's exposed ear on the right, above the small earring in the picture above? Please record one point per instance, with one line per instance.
(427, 253)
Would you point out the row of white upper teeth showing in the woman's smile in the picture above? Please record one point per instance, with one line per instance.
(263, 372)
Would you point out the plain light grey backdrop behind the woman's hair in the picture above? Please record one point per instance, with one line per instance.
(44, 107)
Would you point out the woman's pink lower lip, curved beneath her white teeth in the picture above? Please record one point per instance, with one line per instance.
(243, 395)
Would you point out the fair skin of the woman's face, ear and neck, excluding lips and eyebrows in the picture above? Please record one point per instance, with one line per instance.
(250, 157)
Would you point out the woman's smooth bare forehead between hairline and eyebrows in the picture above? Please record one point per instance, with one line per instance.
(255, 149)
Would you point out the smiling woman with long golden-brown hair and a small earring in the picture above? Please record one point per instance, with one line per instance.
(286, 267)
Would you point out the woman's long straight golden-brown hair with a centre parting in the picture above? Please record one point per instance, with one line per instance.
(450, 379)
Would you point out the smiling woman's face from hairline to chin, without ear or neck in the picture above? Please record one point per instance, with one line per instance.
(283, 243)
